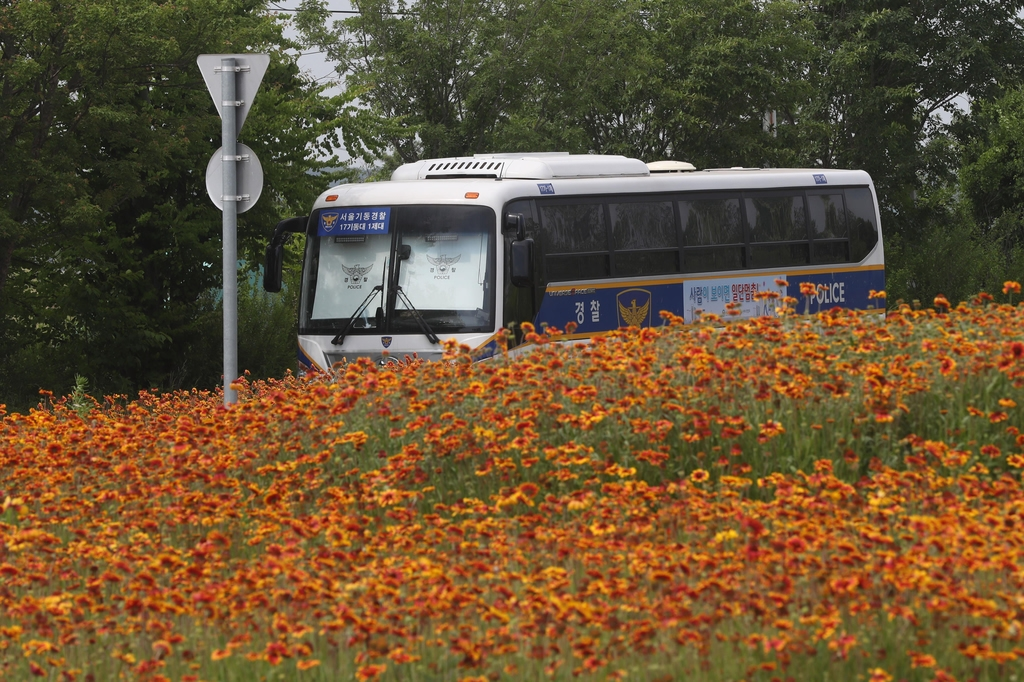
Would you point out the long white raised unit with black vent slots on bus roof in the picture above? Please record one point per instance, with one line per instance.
(542, 166)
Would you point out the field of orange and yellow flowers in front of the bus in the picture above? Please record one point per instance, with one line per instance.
(809, 497)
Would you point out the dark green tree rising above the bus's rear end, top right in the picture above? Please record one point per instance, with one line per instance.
(888, 76)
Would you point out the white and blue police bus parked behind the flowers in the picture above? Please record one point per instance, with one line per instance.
(466, 248)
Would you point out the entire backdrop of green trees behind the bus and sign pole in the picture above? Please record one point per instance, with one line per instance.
(110, 249)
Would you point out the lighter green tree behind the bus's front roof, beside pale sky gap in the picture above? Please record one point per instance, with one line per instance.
(436, 76)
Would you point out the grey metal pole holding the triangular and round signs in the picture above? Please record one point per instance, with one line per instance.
(229, 135)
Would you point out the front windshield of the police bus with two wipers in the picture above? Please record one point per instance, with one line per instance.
(401, 267)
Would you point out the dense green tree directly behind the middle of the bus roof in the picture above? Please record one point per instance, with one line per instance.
(681, 79)
